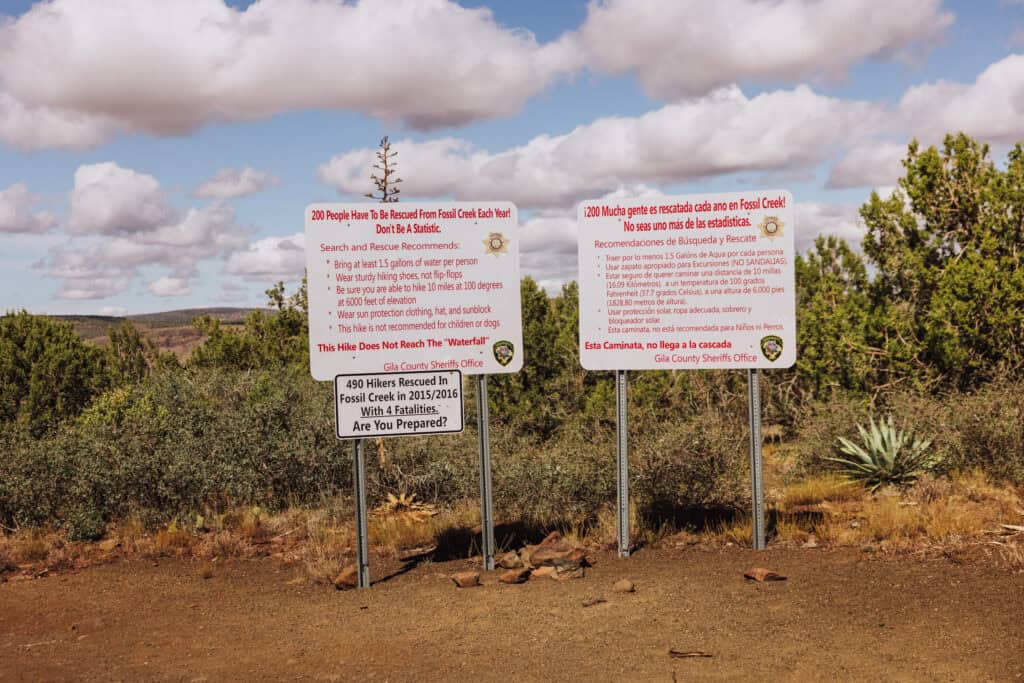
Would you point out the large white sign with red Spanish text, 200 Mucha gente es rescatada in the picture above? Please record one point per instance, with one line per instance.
(700, 282)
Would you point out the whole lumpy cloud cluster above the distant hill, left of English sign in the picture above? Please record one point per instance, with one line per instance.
(121, 223)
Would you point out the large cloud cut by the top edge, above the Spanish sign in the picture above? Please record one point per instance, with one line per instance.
(687, 48)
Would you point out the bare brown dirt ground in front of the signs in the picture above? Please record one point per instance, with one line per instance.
(842, 615)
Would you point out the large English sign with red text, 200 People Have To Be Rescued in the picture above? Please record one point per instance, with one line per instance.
(413, 287)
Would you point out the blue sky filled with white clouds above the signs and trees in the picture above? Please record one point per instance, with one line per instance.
(158, 156)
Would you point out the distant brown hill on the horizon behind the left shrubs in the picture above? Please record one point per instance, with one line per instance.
(172, 330)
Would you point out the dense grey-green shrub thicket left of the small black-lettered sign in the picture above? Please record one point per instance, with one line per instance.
(180, 442)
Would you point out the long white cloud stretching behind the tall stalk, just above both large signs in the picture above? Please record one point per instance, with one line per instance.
(721, 134)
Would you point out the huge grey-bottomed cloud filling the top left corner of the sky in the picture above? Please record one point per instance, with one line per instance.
(121, 67)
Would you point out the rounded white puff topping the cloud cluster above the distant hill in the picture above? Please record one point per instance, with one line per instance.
(111, 200)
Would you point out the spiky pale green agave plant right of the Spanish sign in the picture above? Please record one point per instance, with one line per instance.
(885, 456)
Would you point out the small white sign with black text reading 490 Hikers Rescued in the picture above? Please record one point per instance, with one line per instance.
(399, 404)
